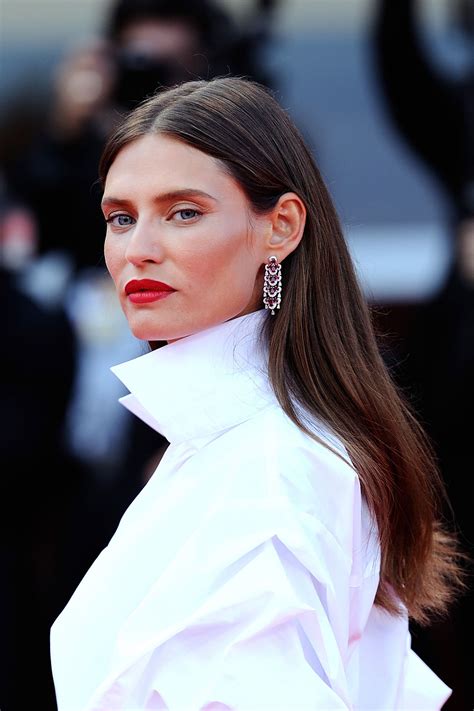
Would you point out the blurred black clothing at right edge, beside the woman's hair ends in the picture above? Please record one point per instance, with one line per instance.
(439, 370)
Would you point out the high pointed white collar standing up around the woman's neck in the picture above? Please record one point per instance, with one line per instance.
(201, 384)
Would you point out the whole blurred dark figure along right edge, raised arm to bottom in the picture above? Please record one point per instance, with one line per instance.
(433, 110)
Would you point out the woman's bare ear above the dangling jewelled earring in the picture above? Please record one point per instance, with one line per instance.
(287, 222)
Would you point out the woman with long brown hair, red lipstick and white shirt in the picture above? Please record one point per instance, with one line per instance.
(275, 556)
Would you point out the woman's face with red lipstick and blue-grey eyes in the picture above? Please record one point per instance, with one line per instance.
(175, 217)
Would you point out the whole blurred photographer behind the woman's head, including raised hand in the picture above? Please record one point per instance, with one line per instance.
(144, 44)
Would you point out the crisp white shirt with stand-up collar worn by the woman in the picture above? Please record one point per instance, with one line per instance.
(243, 575)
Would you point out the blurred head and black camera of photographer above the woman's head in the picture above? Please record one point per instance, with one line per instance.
(161, 43)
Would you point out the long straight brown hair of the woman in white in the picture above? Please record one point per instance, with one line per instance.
(323, 348)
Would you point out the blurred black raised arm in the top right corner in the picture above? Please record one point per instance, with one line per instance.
(424, 104)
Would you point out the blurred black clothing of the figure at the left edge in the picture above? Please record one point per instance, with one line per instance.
(37, 366)
